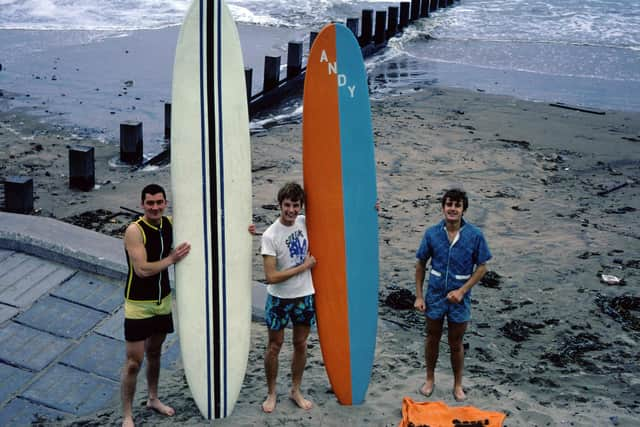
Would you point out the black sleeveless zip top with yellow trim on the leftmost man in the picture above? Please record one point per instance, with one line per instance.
(158, 241)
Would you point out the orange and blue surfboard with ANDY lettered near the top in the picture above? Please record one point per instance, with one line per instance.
(340, 181)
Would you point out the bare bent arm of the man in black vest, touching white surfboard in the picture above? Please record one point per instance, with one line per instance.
(134, 244)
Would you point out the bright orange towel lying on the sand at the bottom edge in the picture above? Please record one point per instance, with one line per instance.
(438, 414)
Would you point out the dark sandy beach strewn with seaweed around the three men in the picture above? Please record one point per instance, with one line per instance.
(549, 344)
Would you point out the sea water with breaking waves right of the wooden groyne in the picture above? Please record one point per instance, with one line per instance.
(584, 52)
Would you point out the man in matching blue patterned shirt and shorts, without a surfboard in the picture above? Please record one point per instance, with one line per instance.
(458, 253)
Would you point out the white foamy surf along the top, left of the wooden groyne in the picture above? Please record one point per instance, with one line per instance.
(149, 14)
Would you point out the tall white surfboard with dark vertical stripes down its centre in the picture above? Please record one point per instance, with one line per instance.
(211, 183)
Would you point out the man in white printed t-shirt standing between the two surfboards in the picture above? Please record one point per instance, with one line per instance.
(287, 267)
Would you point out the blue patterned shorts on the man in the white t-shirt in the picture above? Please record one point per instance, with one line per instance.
(278, 311)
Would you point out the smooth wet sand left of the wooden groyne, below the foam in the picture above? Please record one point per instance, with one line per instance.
(93, 85)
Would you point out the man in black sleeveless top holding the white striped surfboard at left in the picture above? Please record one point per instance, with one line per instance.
(148, 244)
